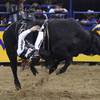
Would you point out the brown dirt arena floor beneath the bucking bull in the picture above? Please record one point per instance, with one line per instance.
(80, 82)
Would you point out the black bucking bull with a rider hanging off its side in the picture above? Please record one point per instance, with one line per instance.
(66, 39)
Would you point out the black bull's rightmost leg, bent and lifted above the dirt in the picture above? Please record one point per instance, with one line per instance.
(64, 68)
